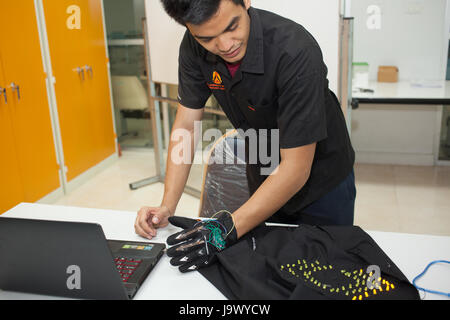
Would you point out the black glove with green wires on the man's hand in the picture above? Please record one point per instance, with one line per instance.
(196, 246)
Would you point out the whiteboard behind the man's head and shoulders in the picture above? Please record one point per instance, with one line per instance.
(319, 17)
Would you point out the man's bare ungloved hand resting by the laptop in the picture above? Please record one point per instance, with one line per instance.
(149, 219)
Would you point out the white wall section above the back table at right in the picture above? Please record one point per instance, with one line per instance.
(411, 37)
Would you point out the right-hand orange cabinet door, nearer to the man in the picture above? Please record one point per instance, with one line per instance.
(79, 62)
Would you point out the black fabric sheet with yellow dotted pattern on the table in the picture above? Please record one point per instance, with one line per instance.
(308, 262)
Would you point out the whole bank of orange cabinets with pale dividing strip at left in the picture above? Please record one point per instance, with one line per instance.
(68, 119)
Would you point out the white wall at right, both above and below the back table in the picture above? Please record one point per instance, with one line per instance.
(414, 37)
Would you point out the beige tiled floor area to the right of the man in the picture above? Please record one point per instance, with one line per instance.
(410, 199)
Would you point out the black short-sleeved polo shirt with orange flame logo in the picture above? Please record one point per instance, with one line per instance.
(281, 84)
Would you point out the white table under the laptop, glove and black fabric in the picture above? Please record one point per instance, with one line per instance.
(411, 253)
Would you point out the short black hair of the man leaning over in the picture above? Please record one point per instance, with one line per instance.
(193, 11)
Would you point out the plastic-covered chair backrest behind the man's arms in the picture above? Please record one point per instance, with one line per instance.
(225, 185)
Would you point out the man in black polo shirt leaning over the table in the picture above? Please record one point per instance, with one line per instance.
(266, 72)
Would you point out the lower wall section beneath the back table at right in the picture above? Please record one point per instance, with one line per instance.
(395, 134)
